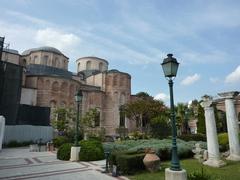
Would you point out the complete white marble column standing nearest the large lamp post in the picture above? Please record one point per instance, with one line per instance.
(211, 131)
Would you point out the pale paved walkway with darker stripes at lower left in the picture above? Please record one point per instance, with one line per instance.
(19, 163)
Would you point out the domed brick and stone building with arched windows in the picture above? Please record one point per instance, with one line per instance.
(46, 82)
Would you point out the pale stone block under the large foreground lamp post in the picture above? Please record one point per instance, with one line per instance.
(175, 175)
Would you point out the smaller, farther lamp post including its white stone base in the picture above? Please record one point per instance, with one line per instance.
(76, 149)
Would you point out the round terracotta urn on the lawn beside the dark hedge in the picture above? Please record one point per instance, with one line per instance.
(151, 161)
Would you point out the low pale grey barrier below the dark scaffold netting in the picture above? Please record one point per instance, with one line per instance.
(22, 133)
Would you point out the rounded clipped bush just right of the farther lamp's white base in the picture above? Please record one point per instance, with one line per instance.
(91, 150)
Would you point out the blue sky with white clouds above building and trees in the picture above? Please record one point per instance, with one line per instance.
(135, 36)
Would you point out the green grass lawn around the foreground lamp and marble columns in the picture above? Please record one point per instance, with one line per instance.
(229, 172)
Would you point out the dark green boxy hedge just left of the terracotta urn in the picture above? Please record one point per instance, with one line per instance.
(127, 162)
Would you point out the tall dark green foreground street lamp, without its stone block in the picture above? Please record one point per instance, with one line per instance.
(170, 67)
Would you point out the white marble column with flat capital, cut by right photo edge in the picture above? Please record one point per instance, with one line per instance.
(232, 125)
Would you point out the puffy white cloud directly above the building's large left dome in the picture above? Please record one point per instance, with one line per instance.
(61, 40)
